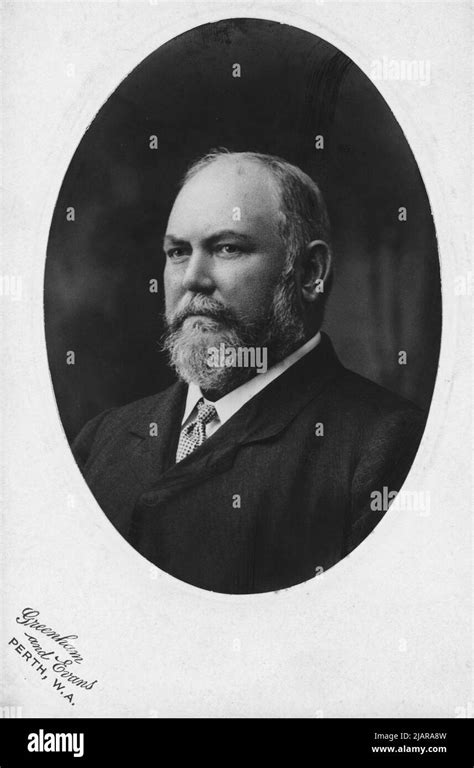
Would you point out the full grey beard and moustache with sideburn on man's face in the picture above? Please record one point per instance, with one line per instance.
(205, 324)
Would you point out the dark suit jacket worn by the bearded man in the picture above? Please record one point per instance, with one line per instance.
(266, 501)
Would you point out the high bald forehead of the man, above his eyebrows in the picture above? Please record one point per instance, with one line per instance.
(228, 193)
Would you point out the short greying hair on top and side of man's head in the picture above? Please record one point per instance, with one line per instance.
(304, 213)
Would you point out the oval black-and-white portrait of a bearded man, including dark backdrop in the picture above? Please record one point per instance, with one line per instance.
(242, 307)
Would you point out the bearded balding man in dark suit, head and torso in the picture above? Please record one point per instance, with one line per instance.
(259, 467)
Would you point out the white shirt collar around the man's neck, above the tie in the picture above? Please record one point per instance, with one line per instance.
(233, 401)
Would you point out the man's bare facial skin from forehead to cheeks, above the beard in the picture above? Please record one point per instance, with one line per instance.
(222, 241)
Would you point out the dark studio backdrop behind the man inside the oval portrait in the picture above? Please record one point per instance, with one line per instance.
(386, 294)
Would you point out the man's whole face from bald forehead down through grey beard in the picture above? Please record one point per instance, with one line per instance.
(224, 274)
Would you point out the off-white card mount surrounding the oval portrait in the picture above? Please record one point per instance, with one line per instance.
(324, 609)
